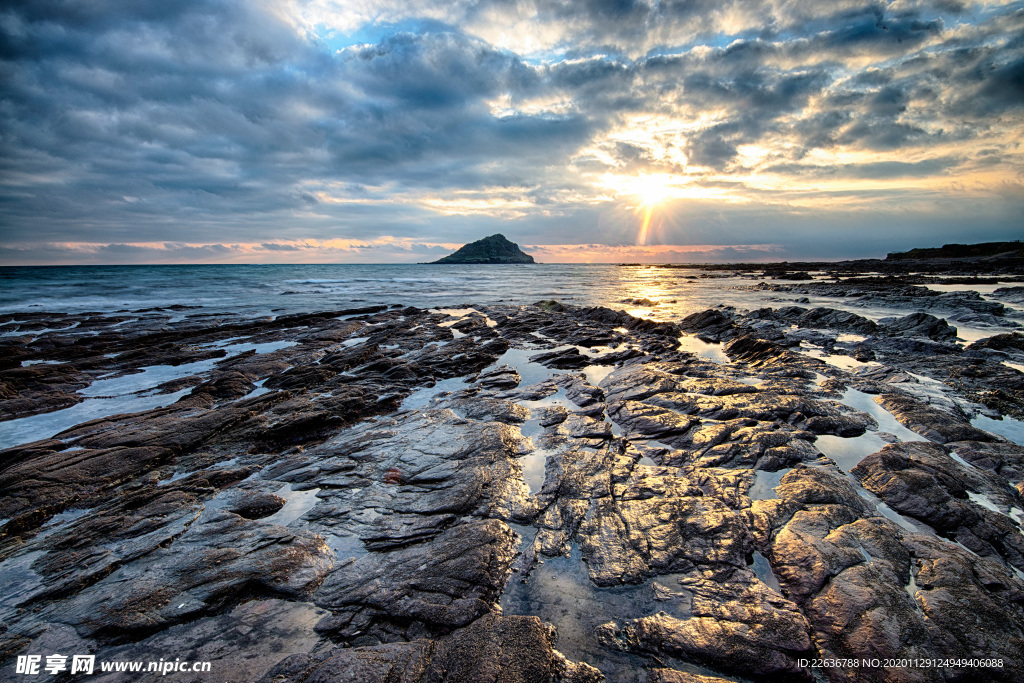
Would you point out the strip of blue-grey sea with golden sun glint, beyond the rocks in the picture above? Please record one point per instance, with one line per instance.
(652, 292)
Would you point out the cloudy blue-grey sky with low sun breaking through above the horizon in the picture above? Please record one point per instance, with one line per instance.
(395, 132)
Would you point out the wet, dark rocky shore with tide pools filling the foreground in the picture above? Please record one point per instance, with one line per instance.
(518, 493)
